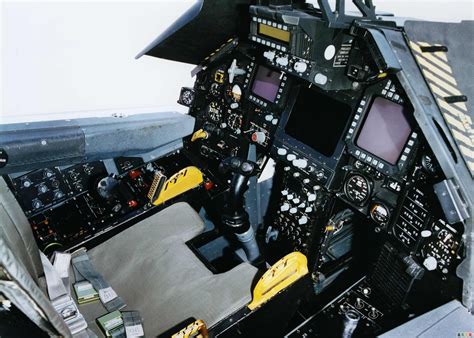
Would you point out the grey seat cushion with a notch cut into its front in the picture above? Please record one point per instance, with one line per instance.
(153, 270)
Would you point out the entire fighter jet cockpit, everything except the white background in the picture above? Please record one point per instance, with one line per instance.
(320, 185)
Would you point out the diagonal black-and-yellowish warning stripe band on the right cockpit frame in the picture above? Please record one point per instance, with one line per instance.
(439, 75)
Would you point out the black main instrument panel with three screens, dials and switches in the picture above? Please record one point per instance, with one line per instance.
(352, 164)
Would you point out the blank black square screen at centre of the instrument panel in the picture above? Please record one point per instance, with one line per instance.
(318, 120)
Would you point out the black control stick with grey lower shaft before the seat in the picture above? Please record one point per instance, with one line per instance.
(235, 217)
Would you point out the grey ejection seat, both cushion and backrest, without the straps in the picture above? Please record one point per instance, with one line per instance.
(148, 265)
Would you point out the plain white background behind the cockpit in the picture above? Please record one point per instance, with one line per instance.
(68, 58)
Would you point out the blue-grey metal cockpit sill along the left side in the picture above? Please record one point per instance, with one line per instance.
(52, 143)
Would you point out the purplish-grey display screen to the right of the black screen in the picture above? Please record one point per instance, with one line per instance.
(385, 130)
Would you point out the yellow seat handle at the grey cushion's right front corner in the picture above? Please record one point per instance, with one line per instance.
(282, 274)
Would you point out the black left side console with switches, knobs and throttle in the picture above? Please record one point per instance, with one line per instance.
(67, 206)
